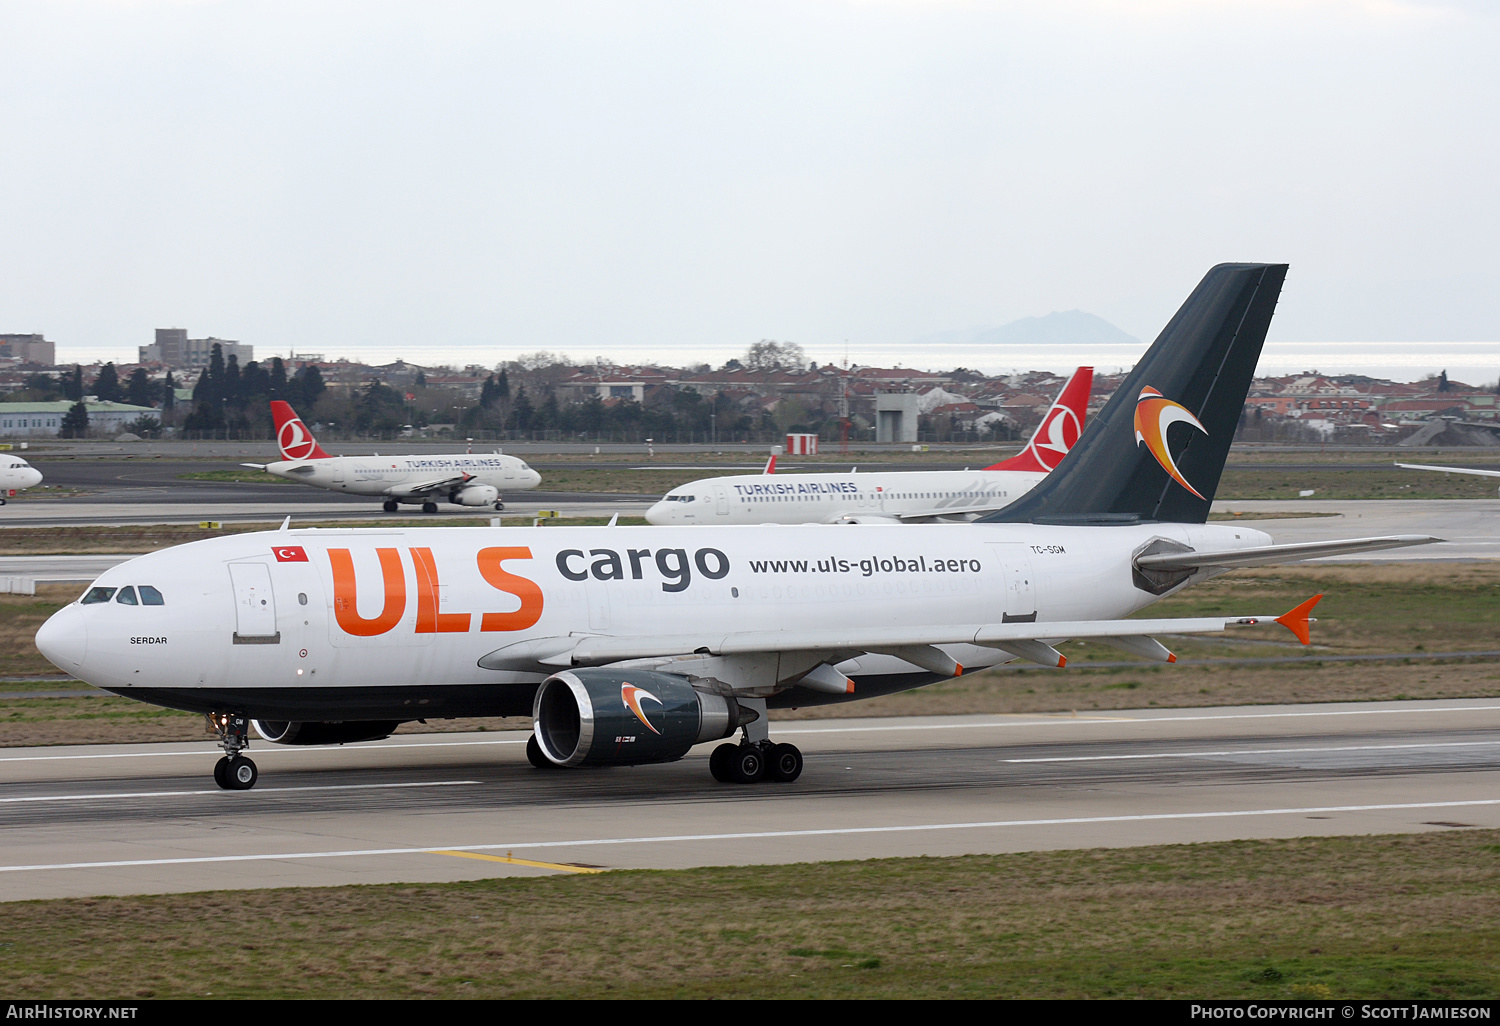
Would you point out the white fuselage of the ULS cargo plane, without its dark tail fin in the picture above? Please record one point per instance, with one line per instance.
(307, 617)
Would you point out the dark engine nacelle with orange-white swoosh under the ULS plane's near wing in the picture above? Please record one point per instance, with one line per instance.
(608, 718)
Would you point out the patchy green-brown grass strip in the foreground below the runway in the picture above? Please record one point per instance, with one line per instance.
(1396, 917)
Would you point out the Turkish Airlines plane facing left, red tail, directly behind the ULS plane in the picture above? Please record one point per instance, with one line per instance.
(892, 497)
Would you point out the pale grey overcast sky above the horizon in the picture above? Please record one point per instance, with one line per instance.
(428, 179)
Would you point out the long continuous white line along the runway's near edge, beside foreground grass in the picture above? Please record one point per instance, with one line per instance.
(766, 835)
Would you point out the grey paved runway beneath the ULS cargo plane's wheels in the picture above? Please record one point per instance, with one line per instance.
(122, 820)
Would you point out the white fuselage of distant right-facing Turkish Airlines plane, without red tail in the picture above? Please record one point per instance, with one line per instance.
(397, 476)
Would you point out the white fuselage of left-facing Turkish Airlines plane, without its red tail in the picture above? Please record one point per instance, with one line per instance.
(826, 499)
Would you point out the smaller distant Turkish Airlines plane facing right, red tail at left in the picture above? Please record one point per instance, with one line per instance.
(466, 479)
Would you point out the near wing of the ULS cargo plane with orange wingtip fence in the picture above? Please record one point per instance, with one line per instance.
(914, 644)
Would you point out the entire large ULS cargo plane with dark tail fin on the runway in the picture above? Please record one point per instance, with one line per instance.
(634, 644)
